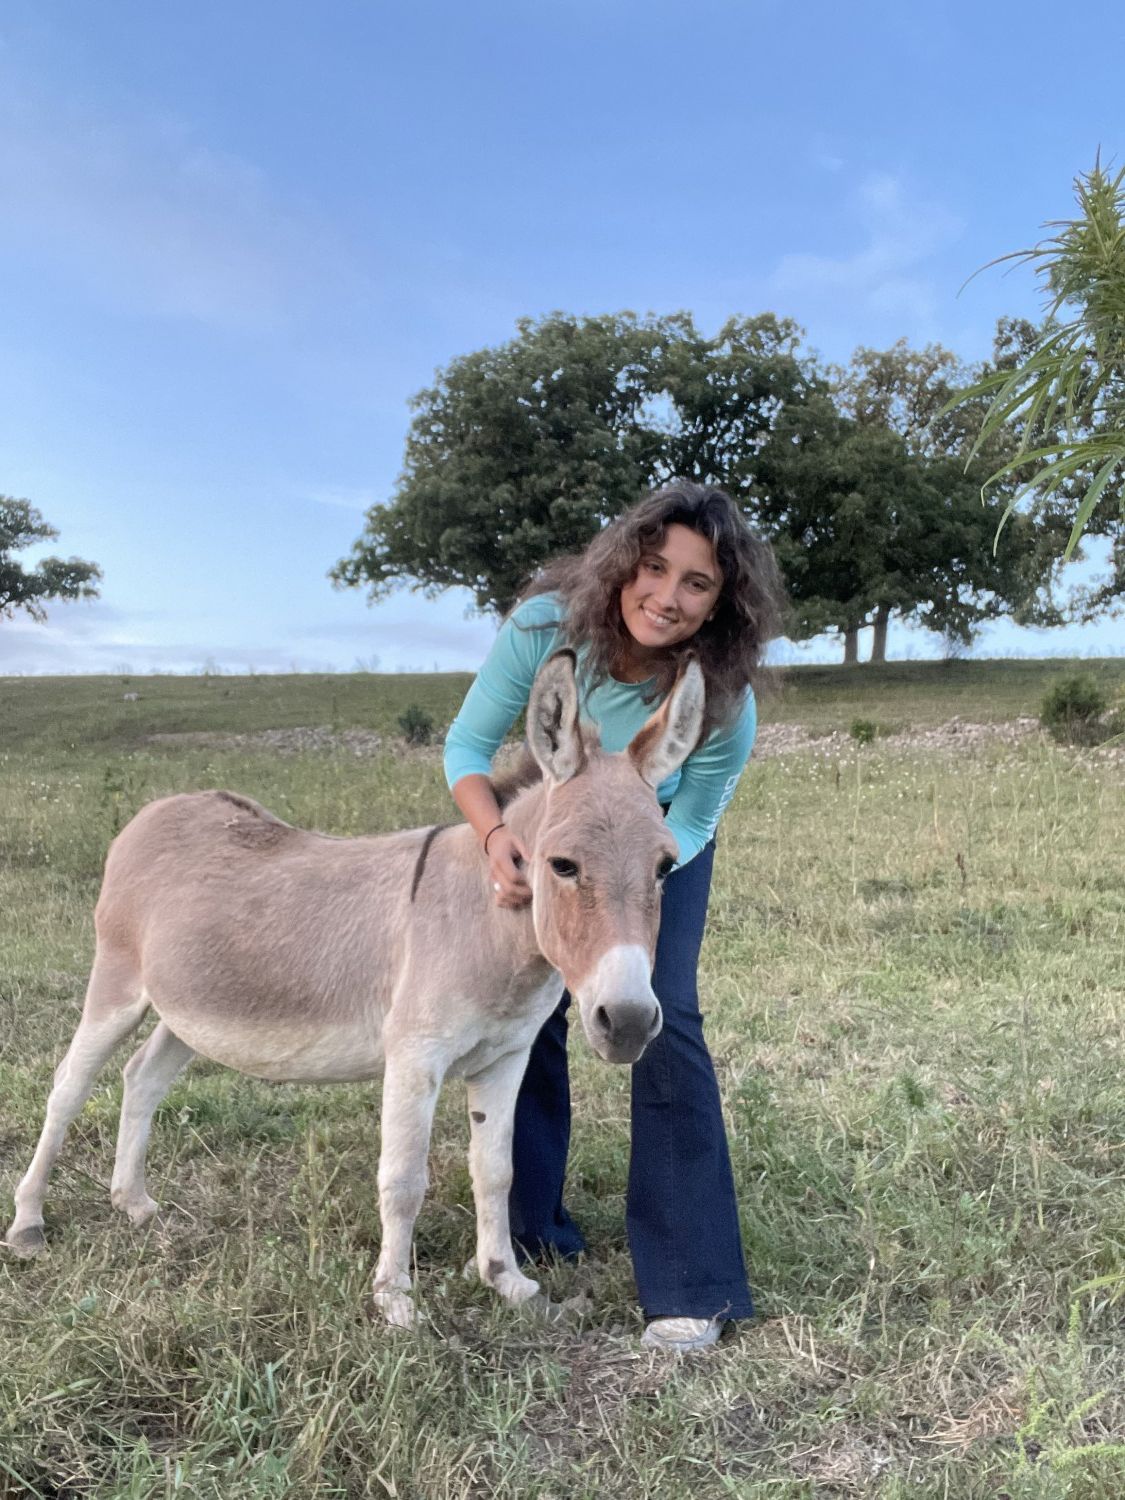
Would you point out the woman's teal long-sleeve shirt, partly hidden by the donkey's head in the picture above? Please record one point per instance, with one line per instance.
(695, 796)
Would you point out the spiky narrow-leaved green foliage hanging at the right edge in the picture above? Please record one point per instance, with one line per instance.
(1064, 403)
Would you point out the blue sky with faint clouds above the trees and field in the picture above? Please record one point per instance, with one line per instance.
(241, 236)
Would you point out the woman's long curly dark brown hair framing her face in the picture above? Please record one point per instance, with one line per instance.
(748, 616)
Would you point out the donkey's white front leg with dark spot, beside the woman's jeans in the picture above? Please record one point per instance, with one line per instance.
(493, 1106)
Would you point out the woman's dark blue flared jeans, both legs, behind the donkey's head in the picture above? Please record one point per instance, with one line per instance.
(680, 1210)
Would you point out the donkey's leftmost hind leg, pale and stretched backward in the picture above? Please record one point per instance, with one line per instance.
(106, 1022)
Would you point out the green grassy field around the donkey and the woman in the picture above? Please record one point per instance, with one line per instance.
(916, 992)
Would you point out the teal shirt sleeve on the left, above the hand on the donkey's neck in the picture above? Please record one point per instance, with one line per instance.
(502, 688)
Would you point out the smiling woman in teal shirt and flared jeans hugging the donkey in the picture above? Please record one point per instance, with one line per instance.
(682, 574)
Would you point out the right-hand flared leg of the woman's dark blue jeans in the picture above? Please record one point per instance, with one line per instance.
(682, 1210)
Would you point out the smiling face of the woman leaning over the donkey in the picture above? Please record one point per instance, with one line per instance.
(674, 590)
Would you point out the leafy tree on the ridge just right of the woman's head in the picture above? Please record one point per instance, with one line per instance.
(866, 496)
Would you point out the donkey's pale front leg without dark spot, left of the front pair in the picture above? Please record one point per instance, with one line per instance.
(410, 1093)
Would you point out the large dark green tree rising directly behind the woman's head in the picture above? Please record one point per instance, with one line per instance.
(526, 451)
